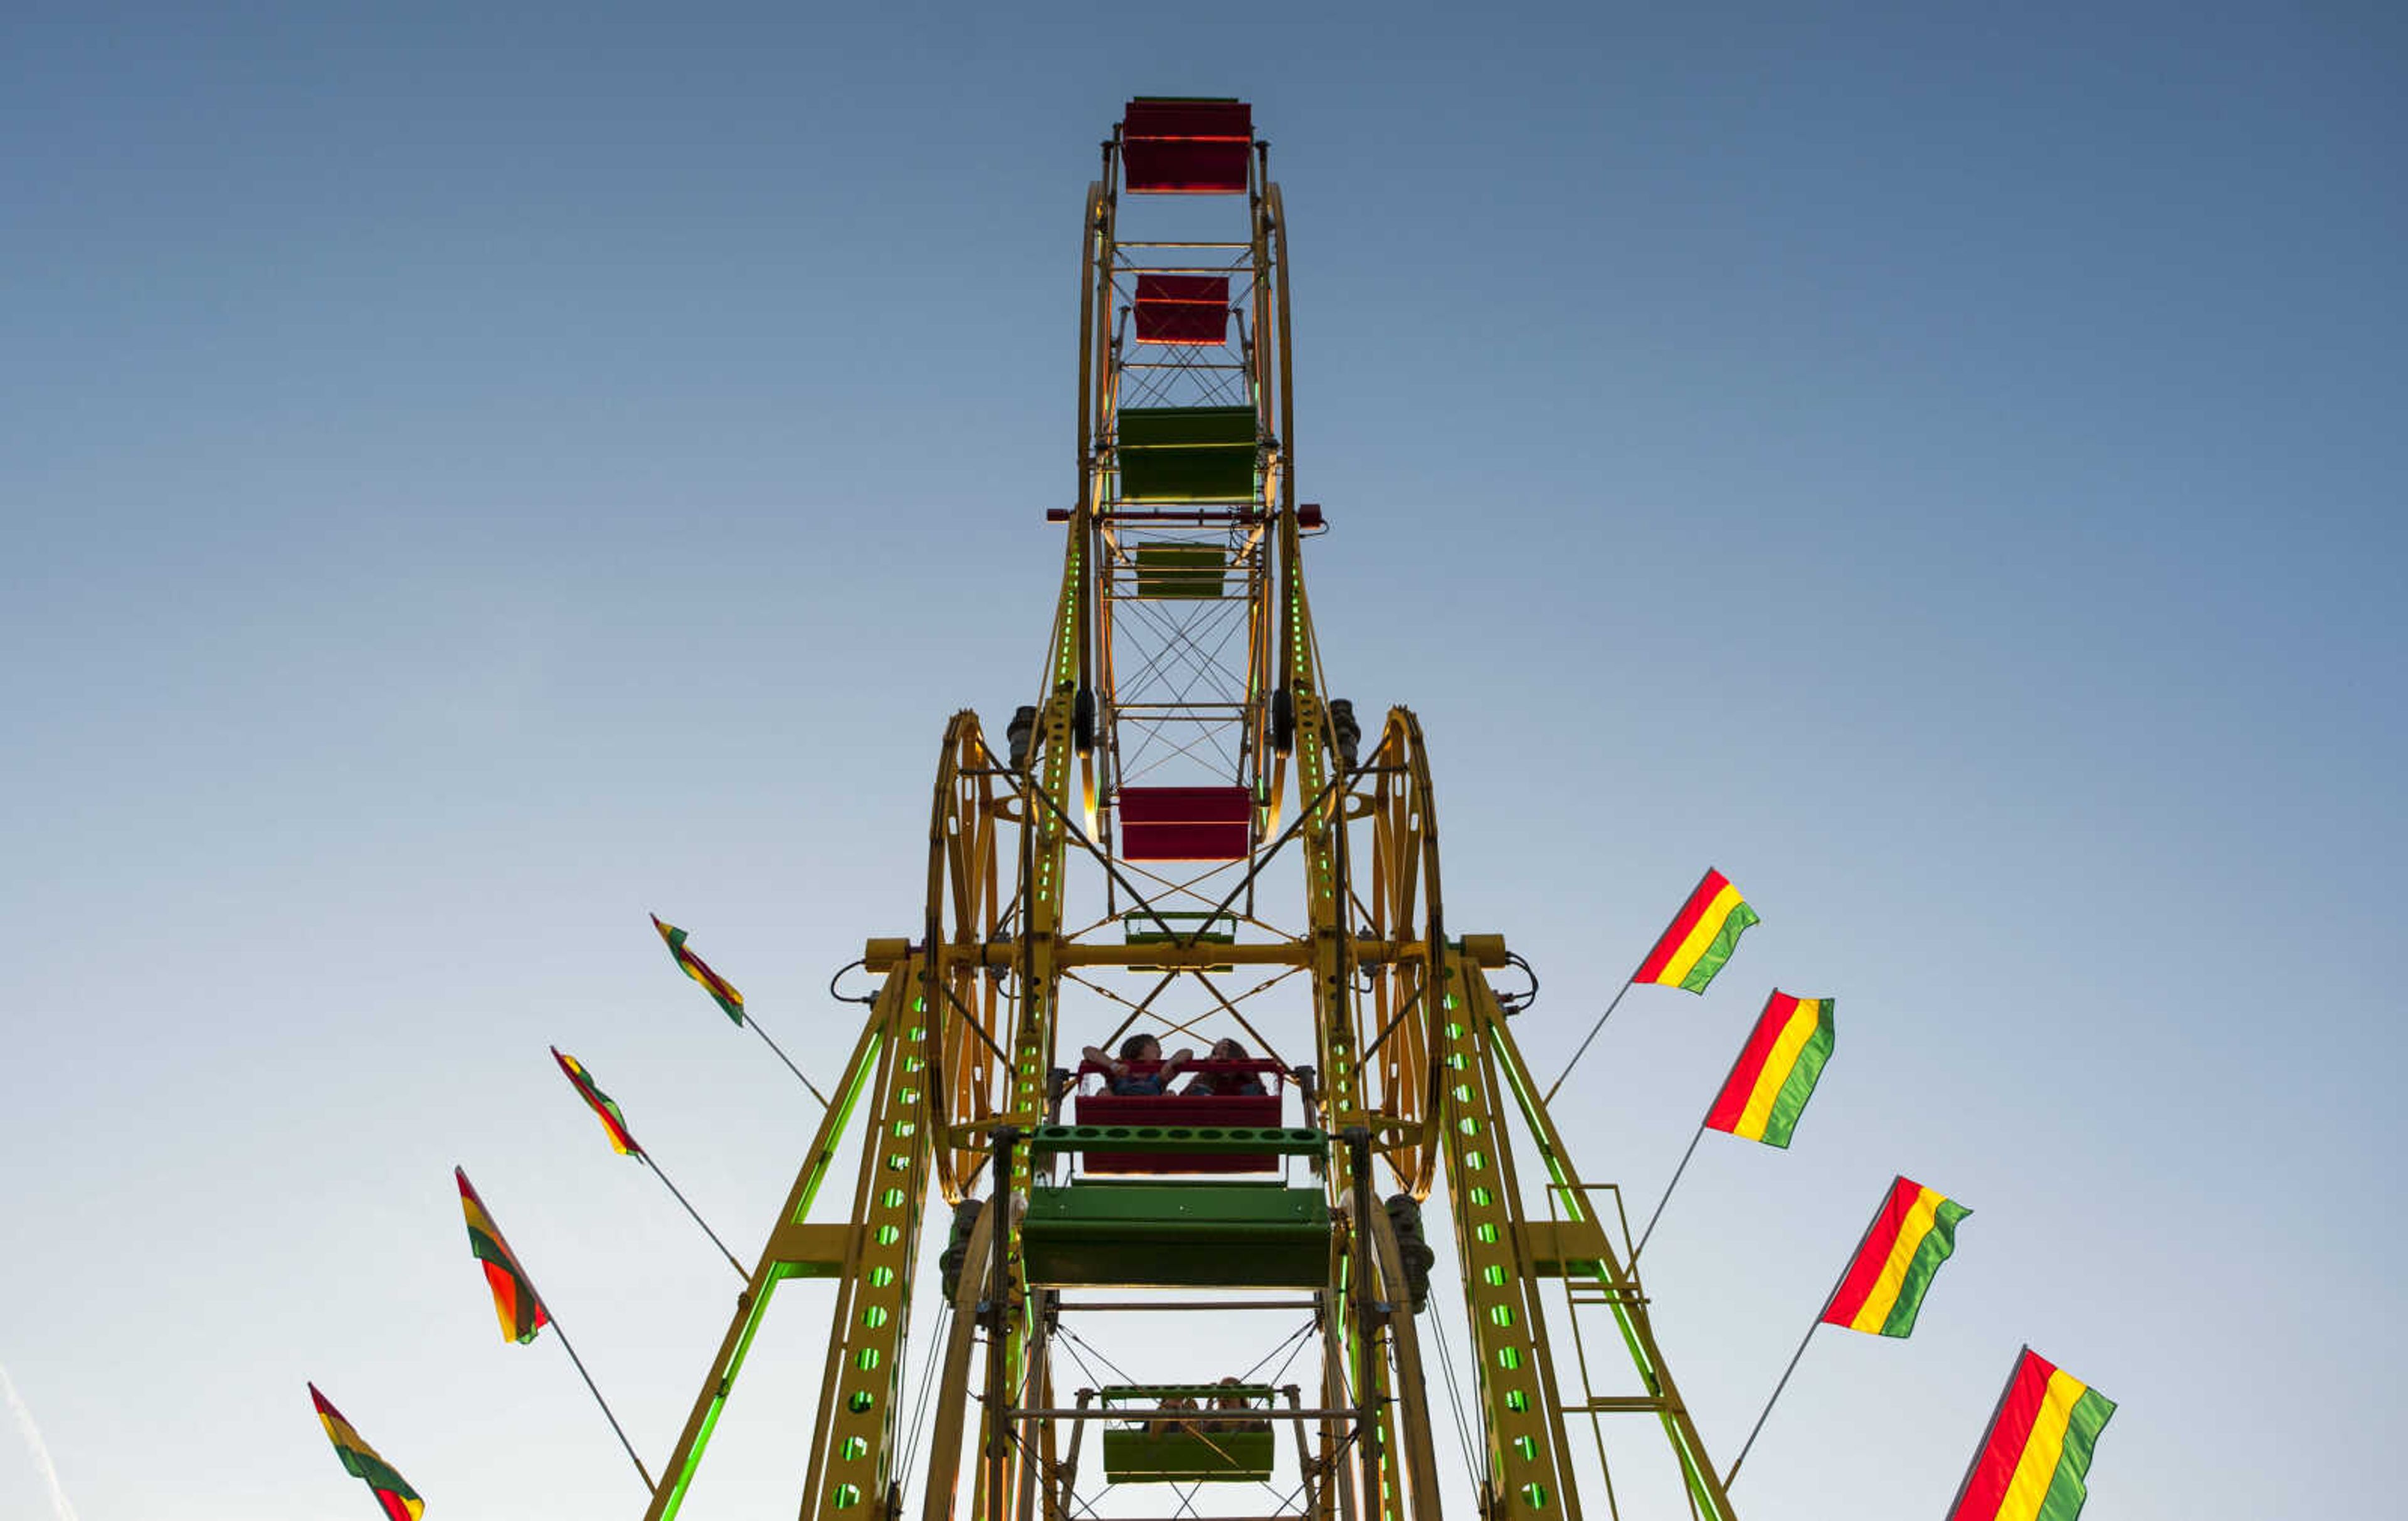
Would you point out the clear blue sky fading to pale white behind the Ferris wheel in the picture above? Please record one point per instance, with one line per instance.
(478, 478)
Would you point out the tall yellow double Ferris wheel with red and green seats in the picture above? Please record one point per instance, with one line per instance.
(1116, 870)
